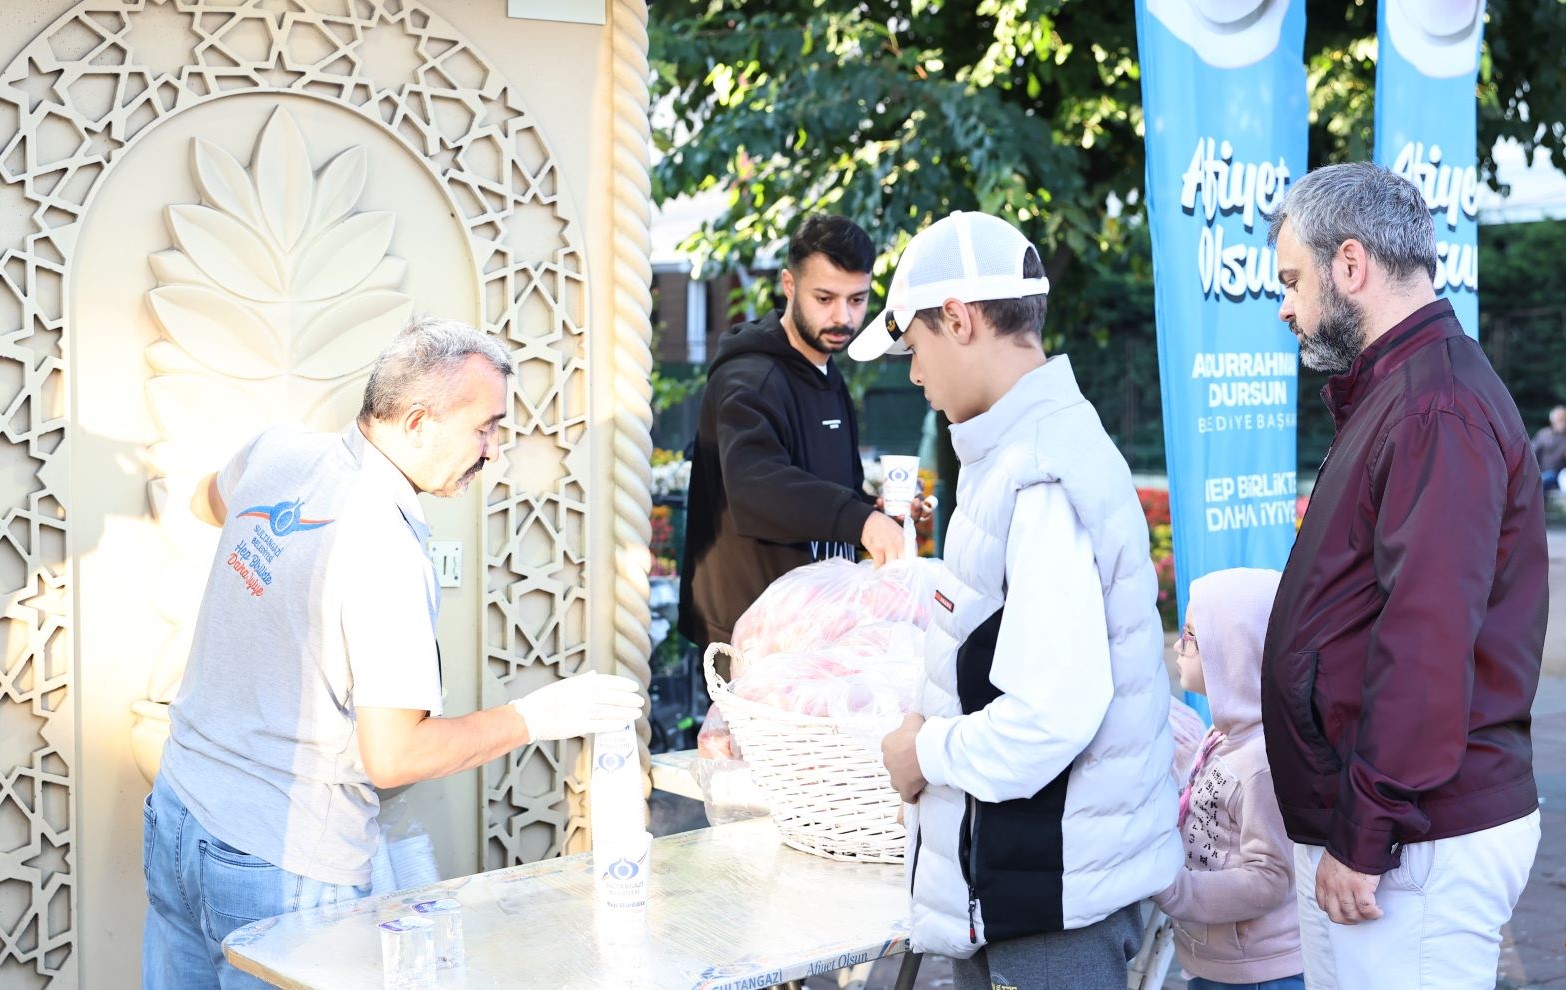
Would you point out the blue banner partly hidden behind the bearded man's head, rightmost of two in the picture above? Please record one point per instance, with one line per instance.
(1426, 128)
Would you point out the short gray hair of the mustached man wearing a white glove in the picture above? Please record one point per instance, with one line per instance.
(420, 363)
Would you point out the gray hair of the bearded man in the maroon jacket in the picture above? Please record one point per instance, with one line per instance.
(1365, 203)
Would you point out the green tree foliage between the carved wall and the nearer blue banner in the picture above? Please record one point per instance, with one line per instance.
(897, 112)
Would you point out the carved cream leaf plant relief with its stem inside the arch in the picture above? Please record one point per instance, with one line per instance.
(275, 302)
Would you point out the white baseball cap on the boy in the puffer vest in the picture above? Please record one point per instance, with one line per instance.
(969, 258)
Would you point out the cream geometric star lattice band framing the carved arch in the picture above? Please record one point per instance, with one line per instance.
(73, 104)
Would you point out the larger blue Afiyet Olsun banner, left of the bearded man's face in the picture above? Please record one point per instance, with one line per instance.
(1225, 114)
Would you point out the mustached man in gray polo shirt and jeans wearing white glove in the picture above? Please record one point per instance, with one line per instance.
(314, 676)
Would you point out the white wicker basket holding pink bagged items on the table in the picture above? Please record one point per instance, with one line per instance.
(829, 793)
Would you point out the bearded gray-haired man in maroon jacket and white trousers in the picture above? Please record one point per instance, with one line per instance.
(1405, 641)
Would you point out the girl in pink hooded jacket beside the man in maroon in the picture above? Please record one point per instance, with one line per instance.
(1233, 903)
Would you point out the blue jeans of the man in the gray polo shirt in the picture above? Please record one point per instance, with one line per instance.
(201, 889)
